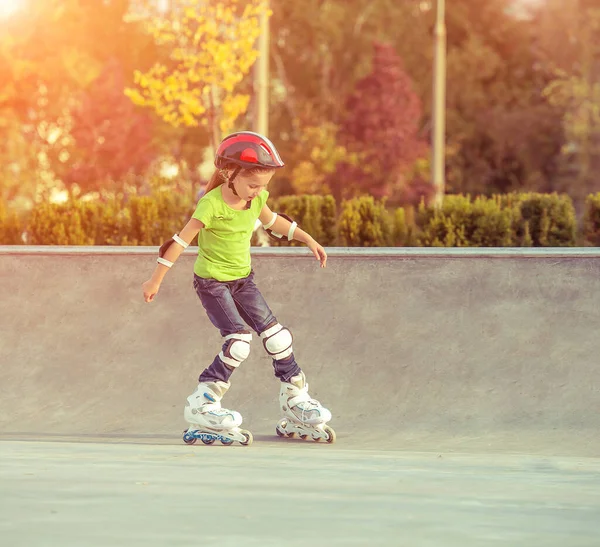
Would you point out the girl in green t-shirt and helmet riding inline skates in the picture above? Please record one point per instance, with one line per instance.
(224, 219)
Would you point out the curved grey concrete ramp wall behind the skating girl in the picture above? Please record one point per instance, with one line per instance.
(412, 349)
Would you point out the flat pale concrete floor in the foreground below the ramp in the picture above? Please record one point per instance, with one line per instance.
(292, 493)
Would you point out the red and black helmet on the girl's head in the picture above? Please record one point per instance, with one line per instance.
(247, 149)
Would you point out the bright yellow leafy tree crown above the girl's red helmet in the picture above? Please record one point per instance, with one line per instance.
(211, 47)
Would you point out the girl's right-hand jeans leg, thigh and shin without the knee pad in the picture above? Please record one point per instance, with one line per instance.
(255, 311)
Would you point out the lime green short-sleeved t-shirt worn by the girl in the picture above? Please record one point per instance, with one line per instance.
(224, 242)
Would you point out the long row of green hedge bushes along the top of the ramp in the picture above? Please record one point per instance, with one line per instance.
(512, 220)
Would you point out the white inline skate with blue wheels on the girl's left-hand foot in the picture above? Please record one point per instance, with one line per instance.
(208, 421)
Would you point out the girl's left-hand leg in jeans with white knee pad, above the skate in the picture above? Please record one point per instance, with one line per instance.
(221, 310)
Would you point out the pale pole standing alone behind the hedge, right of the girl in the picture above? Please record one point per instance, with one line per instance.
(438, 163)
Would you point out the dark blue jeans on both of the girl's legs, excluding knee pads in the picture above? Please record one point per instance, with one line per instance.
(230, 306)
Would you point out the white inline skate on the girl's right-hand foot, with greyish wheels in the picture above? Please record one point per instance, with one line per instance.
(302, 415)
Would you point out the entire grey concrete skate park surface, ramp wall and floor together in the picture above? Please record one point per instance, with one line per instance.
(465, 392)
